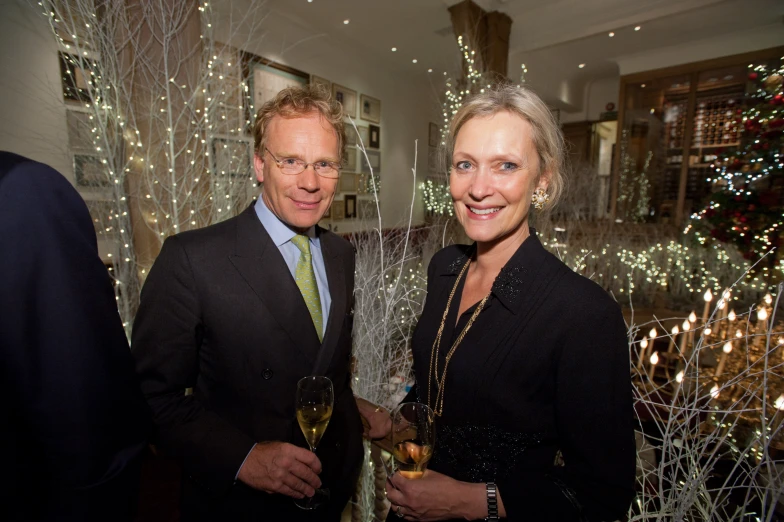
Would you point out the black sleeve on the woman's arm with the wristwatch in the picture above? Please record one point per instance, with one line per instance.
(594, 416)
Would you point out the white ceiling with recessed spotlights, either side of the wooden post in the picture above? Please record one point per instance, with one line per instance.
(552, 37)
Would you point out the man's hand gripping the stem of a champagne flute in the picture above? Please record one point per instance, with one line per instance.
(279, 467)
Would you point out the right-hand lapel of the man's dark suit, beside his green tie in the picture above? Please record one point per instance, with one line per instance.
(337, 290)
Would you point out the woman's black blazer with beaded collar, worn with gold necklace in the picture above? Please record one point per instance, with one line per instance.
(545, 367)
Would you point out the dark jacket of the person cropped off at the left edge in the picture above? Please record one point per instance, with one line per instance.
(73, 421)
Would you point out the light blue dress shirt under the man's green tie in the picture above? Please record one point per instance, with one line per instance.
(281, 235)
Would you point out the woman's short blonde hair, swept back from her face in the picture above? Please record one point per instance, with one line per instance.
(522, 101)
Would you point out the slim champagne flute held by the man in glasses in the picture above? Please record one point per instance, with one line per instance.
(314, 408)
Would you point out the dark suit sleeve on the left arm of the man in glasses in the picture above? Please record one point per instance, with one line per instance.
(167, 335)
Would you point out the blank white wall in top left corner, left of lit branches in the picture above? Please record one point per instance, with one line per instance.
(31, 101)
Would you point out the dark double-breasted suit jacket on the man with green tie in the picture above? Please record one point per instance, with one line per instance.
(221, 313)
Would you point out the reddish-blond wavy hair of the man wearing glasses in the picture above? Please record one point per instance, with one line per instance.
(292, 102)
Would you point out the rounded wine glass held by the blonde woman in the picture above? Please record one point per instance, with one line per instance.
(413, 438)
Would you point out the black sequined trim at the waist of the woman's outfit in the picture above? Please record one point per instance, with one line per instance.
(480, 453)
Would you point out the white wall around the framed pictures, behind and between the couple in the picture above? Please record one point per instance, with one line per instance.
(407, 102)
